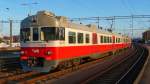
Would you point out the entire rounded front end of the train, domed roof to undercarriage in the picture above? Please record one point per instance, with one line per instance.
(39, 42)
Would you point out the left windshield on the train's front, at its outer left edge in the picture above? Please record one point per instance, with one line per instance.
(25, 34)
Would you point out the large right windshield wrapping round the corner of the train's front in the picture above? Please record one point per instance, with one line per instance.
(52, 33)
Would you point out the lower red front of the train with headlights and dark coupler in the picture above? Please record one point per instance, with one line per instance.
(36, 59)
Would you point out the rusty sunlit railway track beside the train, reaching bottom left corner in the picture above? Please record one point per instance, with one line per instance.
(34, 77)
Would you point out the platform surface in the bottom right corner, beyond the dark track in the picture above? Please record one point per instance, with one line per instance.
(146, 75)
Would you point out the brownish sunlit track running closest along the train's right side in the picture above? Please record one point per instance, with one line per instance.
(41, 78)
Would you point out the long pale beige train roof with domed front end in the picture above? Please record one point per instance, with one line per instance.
(48, 19)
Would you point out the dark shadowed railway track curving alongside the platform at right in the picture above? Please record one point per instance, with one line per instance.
(123, 72)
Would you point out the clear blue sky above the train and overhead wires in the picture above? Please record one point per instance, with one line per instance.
(71, 8)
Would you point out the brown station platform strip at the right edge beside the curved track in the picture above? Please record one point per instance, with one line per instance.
(144, 77)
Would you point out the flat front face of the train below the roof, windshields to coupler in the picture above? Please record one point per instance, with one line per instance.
(38, 48)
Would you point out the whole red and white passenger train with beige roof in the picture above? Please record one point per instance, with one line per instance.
(49, 42)
